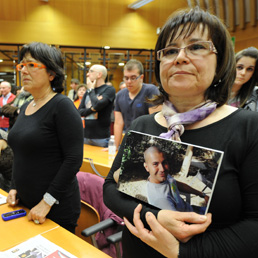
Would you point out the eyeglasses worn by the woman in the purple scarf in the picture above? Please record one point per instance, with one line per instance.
(200, 48)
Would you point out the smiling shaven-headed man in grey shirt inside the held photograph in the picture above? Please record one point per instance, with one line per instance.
(163, 191)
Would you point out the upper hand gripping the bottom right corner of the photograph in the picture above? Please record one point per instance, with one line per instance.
(183, 225)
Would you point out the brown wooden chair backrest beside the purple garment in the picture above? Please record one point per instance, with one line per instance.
(88, 217)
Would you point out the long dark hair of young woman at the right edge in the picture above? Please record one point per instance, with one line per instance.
(246, 90)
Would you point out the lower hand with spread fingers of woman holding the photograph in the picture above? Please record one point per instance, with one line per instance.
(158, 238)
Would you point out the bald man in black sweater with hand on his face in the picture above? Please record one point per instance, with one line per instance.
(96, 107)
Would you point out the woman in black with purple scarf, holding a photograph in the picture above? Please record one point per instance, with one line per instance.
(195, 68)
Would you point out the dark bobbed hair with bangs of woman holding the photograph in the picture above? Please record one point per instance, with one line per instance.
(185, 23)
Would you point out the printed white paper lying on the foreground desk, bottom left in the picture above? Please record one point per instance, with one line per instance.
(36, 247)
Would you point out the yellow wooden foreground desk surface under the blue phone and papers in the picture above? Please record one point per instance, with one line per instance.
(16, 231)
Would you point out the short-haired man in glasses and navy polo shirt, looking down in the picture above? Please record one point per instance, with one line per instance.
(131, 102)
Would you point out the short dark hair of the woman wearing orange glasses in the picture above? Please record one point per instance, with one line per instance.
(51, 57)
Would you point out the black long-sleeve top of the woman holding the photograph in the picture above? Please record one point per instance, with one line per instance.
(233, 232)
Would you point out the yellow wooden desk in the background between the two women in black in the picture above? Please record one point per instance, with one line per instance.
(100, 159)
